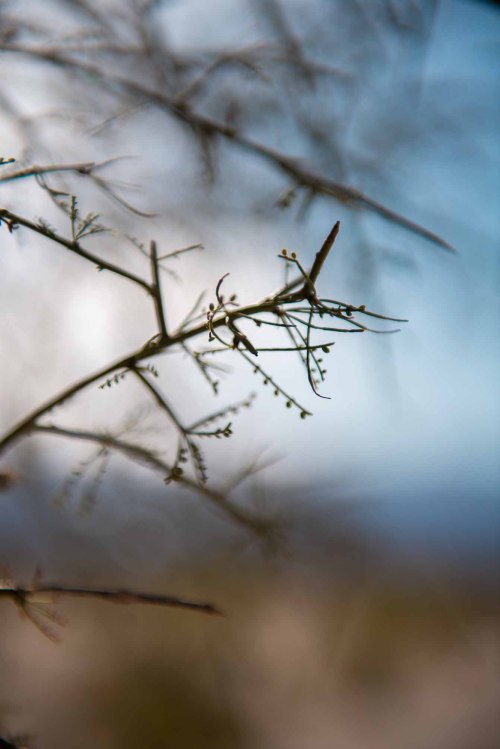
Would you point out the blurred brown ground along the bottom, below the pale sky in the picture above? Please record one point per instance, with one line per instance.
(332, 643)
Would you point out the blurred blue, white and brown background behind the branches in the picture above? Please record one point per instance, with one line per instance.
(375, 621)
